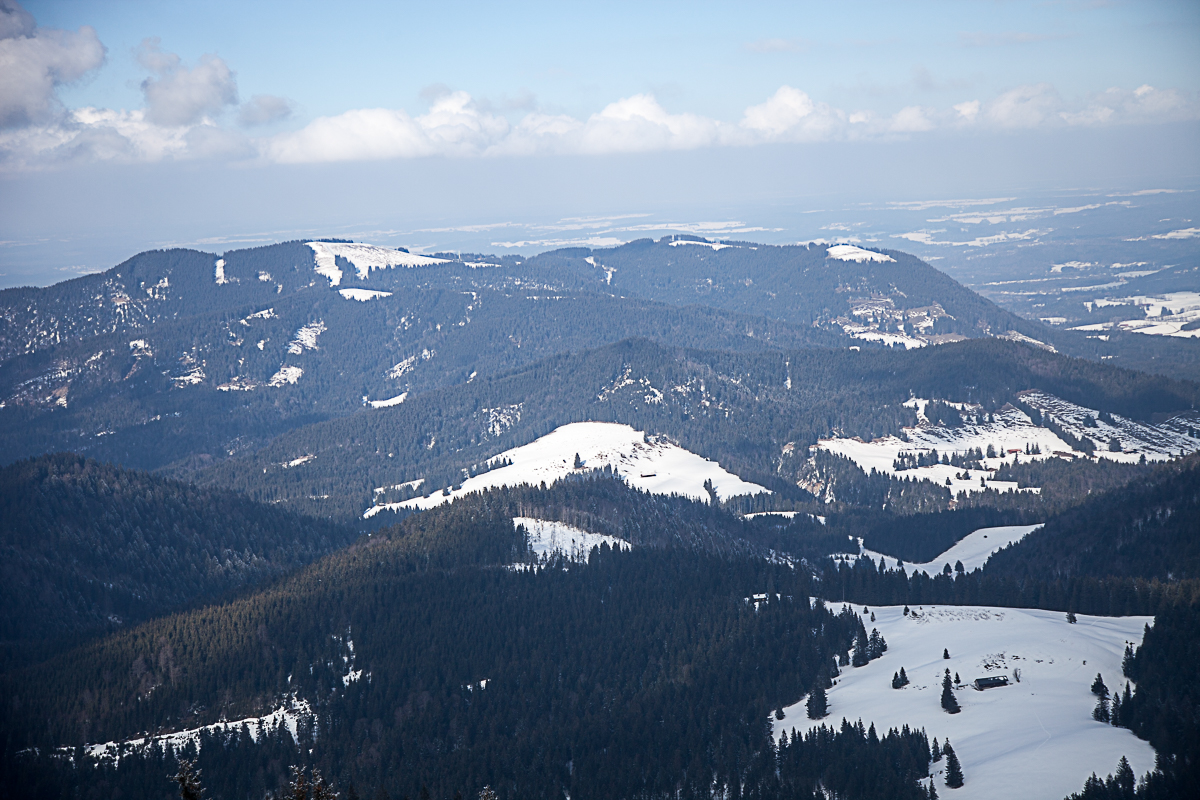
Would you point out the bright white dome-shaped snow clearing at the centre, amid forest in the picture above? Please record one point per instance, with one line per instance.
(645, 462)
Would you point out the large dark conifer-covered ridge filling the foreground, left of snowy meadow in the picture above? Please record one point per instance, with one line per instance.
(645, 672)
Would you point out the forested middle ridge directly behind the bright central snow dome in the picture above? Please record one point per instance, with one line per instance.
(736, 410)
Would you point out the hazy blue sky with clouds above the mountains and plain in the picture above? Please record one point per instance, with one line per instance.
(127, 125)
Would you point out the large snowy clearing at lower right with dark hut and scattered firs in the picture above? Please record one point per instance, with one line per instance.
(1034, 738)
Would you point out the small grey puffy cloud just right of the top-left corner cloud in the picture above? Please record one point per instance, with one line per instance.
(181, 95)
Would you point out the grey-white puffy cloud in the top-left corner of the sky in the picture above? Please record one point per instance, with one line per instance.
(35, 62)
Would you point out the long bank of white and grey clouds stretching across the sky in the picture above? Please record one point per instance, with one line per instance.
(195, 112)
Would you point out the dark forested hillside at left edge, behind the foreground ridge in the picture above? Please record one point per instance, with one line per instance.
(91, 549)
